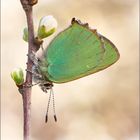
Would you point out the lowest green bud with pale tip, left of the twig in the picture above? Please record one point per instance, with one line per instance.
(18, 76)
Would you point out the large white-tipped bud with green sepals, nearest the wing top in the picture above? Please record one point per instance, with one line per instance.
(47, 26)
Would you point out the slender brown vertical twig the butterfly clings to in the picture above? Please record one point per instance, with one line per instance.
(26, 90)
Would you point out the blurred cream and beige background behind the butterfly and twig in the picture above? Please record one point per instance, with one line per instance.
(102, 106)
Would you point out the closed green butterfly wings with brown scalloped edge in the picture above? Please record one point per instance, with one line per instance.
(77, 52)
